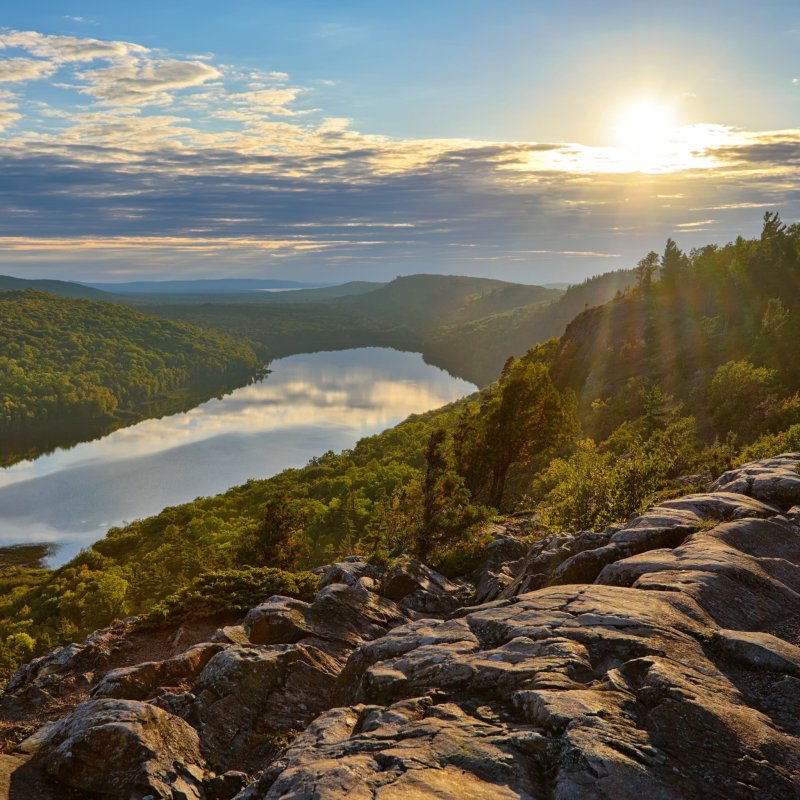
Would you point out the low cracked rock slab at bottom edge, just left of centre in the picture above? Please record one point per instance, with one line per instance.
(410, 750)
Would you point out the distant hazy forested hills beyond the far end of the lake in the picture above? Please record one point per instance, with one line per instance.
(468, 326)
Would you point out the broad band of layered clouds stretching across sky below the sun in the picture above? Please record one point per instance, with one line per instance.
(150, 161)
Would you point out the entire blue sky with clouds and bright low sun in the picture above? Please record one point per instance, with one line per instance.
(530, 140)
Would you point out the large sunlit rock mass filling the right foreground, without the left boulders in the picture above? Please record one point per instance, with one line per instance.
(670, 672)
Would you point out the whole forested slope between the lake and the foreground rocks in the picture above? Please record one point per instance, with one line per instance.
(654, 393)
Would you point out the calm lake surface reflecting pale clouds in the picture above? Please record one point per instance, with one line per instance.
(307, 405)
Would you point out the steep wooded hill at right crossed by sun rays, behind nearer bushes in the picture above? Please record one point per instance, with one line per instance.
(717, 329)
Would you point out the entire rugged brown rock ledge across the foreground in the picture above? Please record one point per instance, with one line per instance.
(659, 659)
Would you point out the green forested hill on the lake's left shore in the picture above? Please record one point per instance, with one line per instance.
(71, 369)
